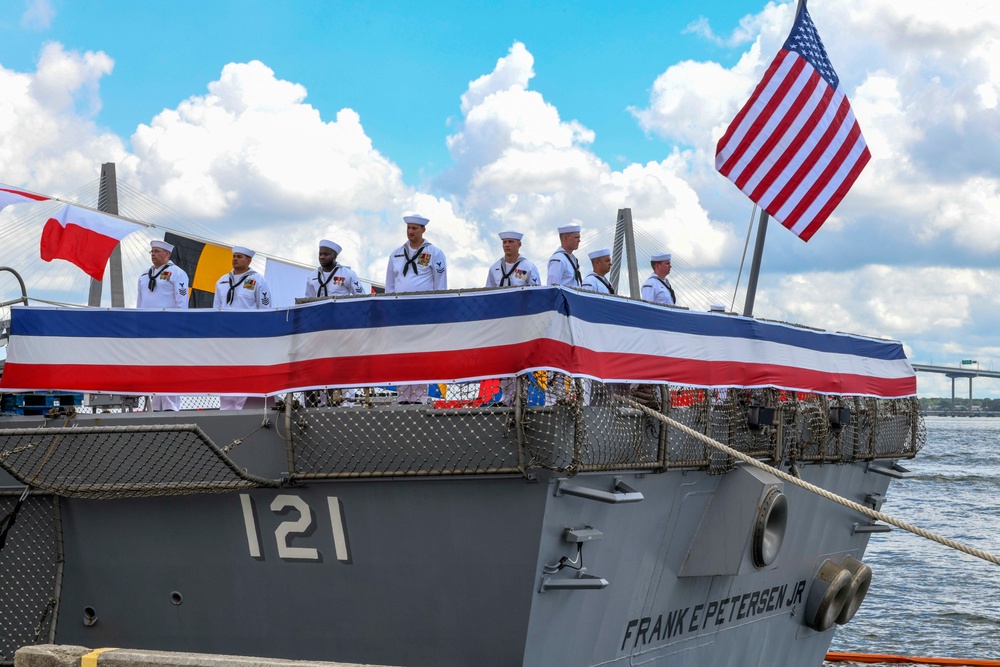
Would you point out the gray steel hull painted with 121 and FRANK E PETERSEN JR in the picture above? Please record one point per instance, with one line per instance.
(448, 570)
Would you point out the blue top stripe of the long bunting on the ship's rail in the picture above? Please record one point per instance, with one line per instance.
(385, 311)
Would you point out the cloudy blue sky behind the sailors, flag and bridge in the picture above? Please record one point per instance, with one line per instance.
(273, 125)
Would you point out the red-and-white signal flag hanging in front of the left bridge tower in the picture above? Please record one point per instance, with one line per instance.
(84, 237)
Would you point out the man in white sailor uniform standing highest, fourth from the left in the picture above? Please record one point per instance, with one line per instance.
(415, 266)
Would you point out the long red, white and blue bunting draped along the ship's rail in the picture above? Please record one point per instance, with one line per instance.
(435, 338)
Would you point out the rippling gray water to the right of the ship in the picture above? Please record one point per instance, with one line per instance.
(927, 599)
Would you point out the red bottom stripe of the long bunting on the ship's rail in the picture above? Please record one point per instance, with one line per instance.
(443, 367)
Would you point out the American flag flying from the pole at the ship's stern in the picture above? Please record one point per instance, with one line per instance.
(795, 148)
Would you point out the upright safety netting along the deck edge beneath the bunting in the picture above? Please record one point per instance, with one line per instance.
(546, 420)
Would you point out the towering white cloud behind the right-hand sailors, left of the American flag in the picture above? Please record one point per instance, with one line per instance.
(519, 164)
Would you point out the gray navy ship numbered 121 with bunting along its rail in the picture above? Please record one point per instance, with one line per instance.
(564, 497)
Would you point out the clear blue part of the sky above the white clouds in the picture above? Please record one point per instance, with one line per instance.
(401, 65)
